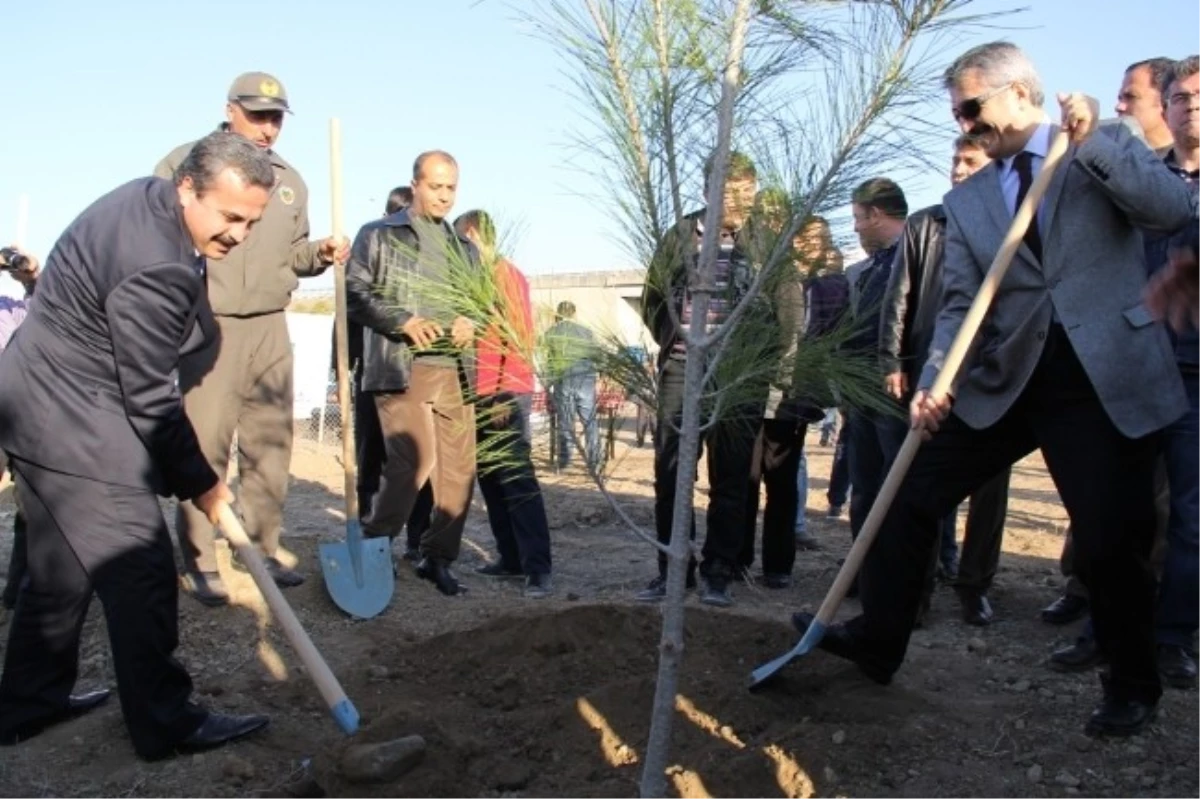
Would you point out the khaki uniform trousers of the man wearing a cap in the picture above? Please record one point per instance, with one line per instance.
(243, 383)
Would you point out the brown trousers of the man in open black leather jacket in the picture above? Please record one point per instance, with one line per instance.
(430, 436)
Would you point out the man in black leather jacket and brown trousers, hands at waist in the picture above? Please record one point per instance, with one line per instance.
(417, 363)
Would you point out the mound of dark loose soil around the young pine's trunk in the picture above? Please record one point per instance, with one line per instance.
(559, 706)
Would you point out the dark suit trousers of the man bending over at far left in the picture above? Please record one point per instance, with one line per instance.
(89, 537)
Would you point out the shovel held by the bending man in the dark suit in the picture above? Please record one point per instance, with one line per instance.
(343, 710)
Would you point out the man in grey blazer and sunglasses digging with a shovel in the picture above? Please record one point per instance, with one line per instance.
(1069, 362)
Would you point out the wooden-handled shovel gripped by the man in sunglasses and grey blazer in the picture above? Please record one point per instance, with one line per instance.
(955, 359)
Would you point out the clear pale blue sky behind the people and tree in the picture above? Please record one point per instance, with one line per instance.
(93, 94)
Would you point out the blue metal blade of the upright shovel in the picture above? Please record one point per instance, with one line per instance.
(359, 573)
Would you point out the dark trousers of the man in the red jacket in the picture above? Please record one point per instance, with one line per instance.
(517, 510)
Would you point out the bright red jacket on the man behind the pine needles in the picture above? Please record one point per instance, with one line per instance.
(502, 367)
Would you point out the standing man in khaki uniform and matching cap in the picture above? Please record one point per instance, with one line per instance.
(243, 382)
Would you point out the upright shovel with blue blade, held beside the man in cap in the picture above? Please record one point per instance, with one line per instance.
(358, 573)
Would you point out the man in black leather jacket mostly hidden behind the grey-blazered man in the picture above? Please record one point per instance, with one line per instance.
(910, 310)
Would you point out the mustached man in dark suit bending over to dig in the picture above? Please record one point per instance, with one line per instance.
(94, 422)
